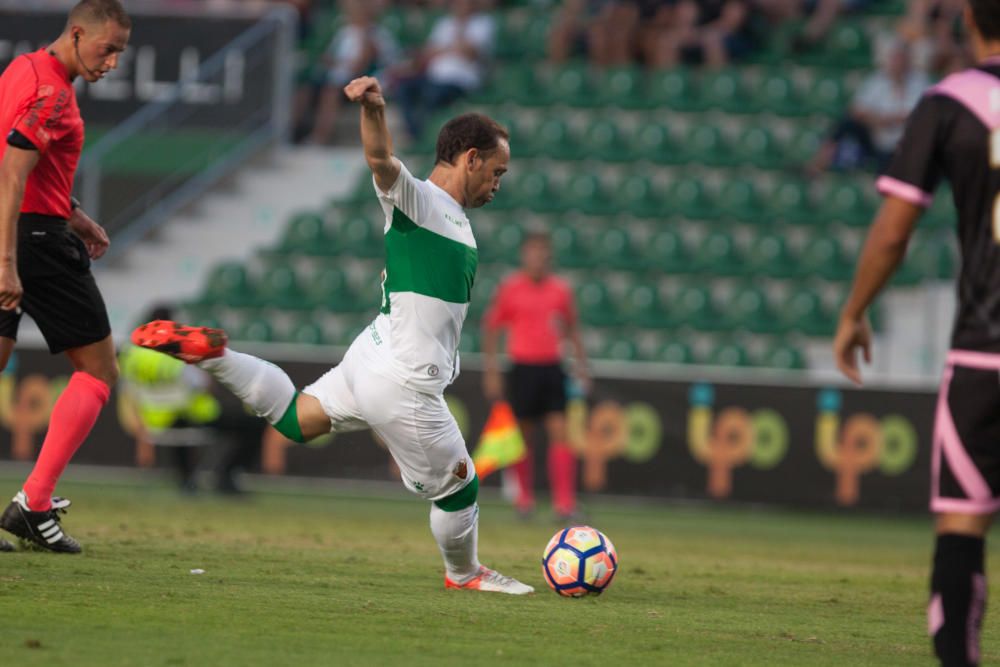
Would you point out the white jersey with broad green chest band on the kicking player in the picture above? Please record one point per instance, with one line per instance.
(431, 261)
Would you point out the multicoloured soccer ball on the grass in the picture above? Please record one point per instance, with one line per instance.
(579, 561)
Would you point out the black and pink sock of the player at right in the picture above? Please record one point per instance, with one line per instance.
(958, 599)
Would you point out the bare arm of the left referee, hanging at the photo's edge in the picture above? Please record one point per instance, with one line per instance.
(14, 171)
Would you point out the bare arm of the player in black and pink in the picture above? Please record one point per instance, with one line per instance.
(884, 249)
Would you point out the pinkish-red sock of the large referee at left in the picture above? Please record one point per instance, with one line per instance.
(73, 415)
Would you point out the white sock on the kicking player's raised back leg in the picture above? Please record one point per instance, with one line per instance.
(260, 384)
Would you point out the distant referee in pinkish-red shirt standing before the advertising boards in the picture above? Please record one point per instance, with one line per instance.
(537, 310)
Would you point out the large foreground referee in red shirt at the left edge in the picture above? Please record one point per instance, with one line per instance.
(47, 243)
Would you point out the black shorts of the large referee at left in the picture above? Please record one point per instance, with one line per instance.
(60, 293)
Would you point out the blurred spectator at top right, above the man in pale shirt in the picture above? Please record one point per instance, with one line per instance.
(932, 28)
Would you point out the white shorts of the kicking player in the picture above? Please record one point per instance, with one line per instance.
(418, 428)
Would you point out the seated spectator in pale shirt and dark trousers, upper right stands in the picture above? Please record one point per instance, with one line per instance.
(875, 121)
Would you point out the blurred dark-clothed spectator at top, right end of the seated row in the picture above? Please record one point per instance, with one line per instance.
(698, 31)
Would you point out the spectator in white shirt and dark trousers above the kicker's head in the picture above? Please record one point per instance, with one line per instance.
(451, 65)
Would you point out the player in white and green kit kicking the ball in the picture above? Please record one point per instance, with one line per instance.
(393, 377)
